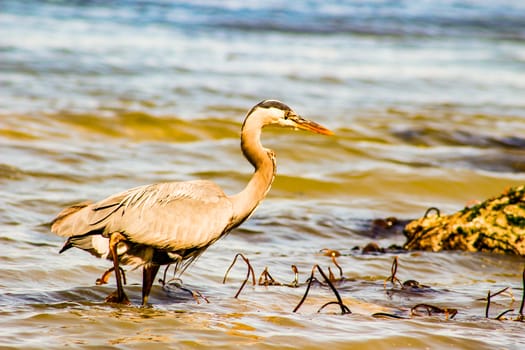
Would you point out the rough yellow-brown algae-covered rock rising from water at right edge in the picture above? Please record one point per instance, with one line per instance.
(495, 225)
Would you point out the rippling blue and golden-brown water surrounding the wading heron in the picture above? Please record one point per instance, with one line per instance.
(425, 98)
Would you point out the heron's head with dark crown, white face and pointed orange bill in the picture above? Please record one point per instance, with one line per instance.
(277, 113)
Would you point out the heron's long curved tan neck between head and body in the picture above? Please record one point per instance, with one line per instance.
(263, 160)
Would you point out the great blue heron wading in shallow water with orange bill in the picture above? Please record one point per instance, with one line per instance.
(174, 222)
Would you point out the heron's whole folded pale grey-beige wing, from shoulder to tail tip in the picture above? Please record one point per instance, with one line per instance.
(170, 216)
